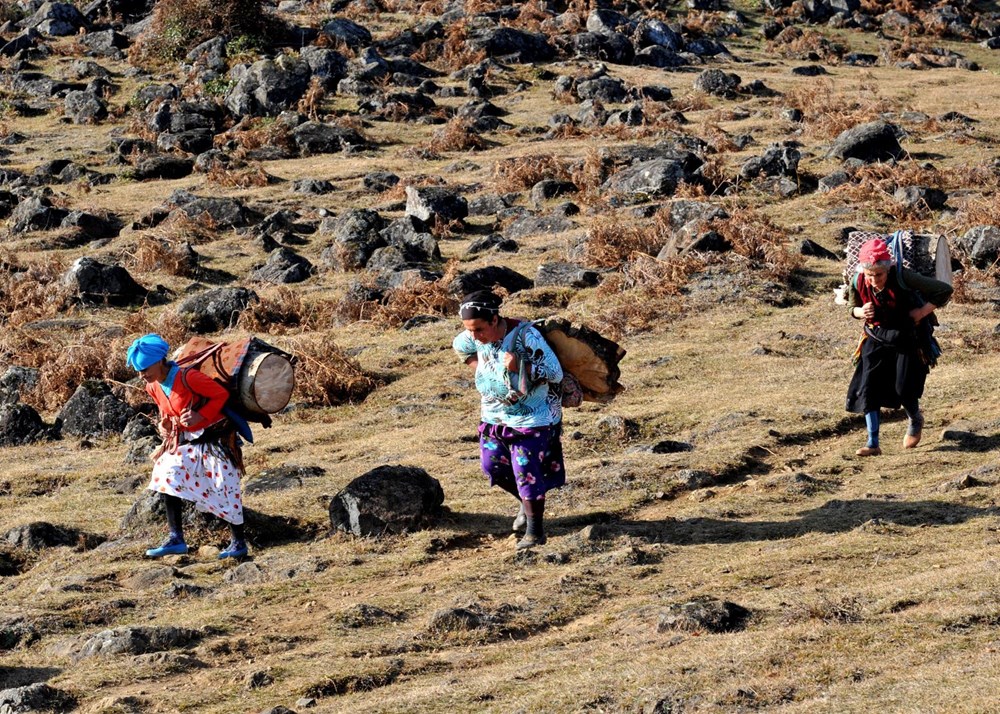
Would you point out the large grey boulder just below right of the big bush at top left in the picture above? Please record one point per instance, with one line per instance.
(269, 87)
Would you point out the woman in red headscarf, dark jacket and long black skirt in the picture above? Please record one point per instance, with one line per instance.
(896, 349)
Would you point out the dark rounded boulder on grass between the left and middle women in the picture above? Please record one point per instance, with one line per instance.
(387, 499)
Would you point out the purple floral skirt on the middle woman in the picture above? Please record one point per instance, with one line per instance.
(529, 459)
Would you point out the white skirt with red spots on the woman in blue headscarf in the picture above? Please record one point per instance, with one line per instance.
(201, 473)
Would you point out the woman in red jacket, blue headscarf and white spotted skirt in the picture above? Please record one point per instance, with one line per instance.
(199, 460)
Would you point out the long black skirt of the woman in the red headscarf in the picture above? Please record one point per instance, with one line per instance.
(887, 376)
